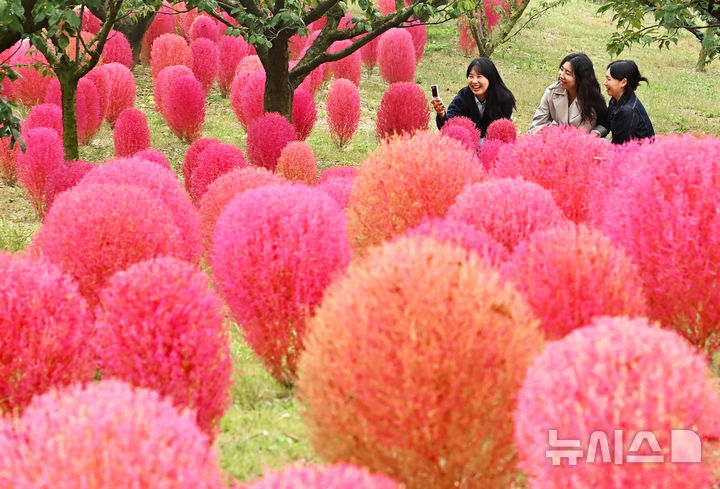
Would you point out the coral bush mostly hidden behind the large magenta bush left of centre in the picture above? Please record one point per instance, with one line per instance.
(225, 187)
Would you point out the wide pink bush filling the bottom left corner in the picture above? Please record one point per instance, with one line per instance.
(104, 435)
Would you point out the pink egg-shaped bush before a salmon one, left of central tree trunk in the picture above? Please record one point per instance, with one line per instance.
(185, 108)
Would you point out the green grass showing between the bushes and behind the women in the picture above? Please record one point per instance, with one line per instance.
(263, 428)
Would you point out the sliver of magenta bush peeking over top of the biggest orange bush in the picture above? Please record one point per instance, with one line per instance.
(458, 233)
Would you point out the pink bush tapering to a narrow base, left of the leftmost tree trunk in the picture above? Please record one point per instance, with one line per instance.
(44, 153)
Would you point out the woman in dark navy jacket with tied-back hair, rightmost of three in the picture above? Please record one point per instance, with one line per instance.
(628, 118)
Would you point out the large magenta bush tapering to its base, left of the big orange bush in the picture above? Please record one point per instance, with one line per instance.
(275, 249)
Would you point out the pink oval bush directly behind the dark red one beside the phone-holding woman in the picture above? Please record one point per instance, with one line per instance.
(396, 56)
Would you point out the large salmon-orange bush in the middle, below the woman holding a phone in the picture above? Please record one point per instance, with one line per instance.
(406, 180)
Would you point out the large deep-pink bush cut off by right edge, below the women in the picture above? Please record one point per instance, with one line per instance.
(664, 213)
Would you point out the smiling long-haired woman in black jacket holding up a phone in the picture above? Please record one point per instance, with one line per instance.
(484, 100)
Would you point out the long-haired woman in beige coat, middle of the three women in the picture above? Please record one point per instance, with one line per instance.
(574, 99)
